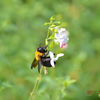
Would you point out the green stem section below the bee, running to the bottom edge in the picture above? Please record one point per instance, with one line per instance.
(32, 95)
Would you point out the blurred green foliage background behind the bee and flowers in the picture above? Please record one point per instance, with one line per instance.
(22, 30)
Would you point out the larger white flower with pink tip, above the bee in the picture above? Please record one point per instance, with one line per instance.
(61, 37)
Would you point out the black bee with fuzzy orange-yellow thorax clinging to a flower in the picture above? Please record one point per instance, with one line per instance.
(41, 58)
